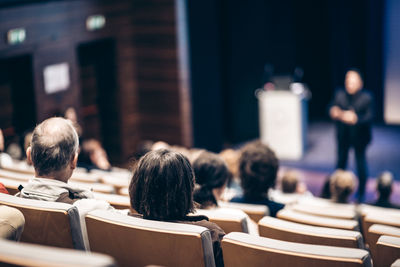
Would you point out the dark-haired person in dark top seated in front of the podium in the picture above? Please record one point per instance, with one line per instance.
(258, 167)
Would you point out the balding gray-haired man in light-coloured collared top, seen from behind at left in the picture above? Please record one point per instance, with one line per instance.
(54, 155)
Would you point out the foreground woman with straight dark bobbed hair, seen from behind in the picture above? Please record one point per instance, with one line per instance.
(162, 189)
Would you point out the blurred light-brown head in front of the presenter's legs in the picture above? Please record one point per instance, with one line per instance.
(342, 185)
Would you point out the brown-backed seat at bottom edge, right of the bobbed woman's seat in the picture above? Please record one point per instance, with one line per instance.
(240, 249)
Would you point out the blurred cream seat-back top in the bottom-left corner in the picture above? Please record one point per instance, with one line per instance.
(23, 254)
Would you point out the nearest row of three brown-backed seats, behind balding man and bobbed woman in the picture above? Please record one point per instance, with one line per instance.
(131, 241)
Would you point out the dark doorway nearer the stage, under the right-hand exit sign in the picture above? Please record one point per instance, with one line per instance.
(99, 108)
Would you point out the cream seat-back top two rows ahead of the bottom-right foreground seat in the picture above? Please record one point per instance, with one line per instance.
(294, 216)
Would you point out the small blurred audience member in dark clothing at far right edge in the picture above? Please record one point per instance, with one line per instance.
(384, 186)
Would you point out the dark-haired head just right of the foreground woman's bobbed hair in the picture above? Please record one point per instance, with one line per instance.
(211, 173)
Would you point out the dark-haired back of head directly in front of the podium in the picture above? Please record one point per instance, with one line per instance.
(258, 167)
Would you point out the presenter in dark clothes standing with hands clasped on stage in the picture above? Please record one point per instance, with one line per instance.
(352, 109)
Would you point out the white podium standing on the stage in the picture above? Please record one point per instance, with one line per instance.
(283, 122)
